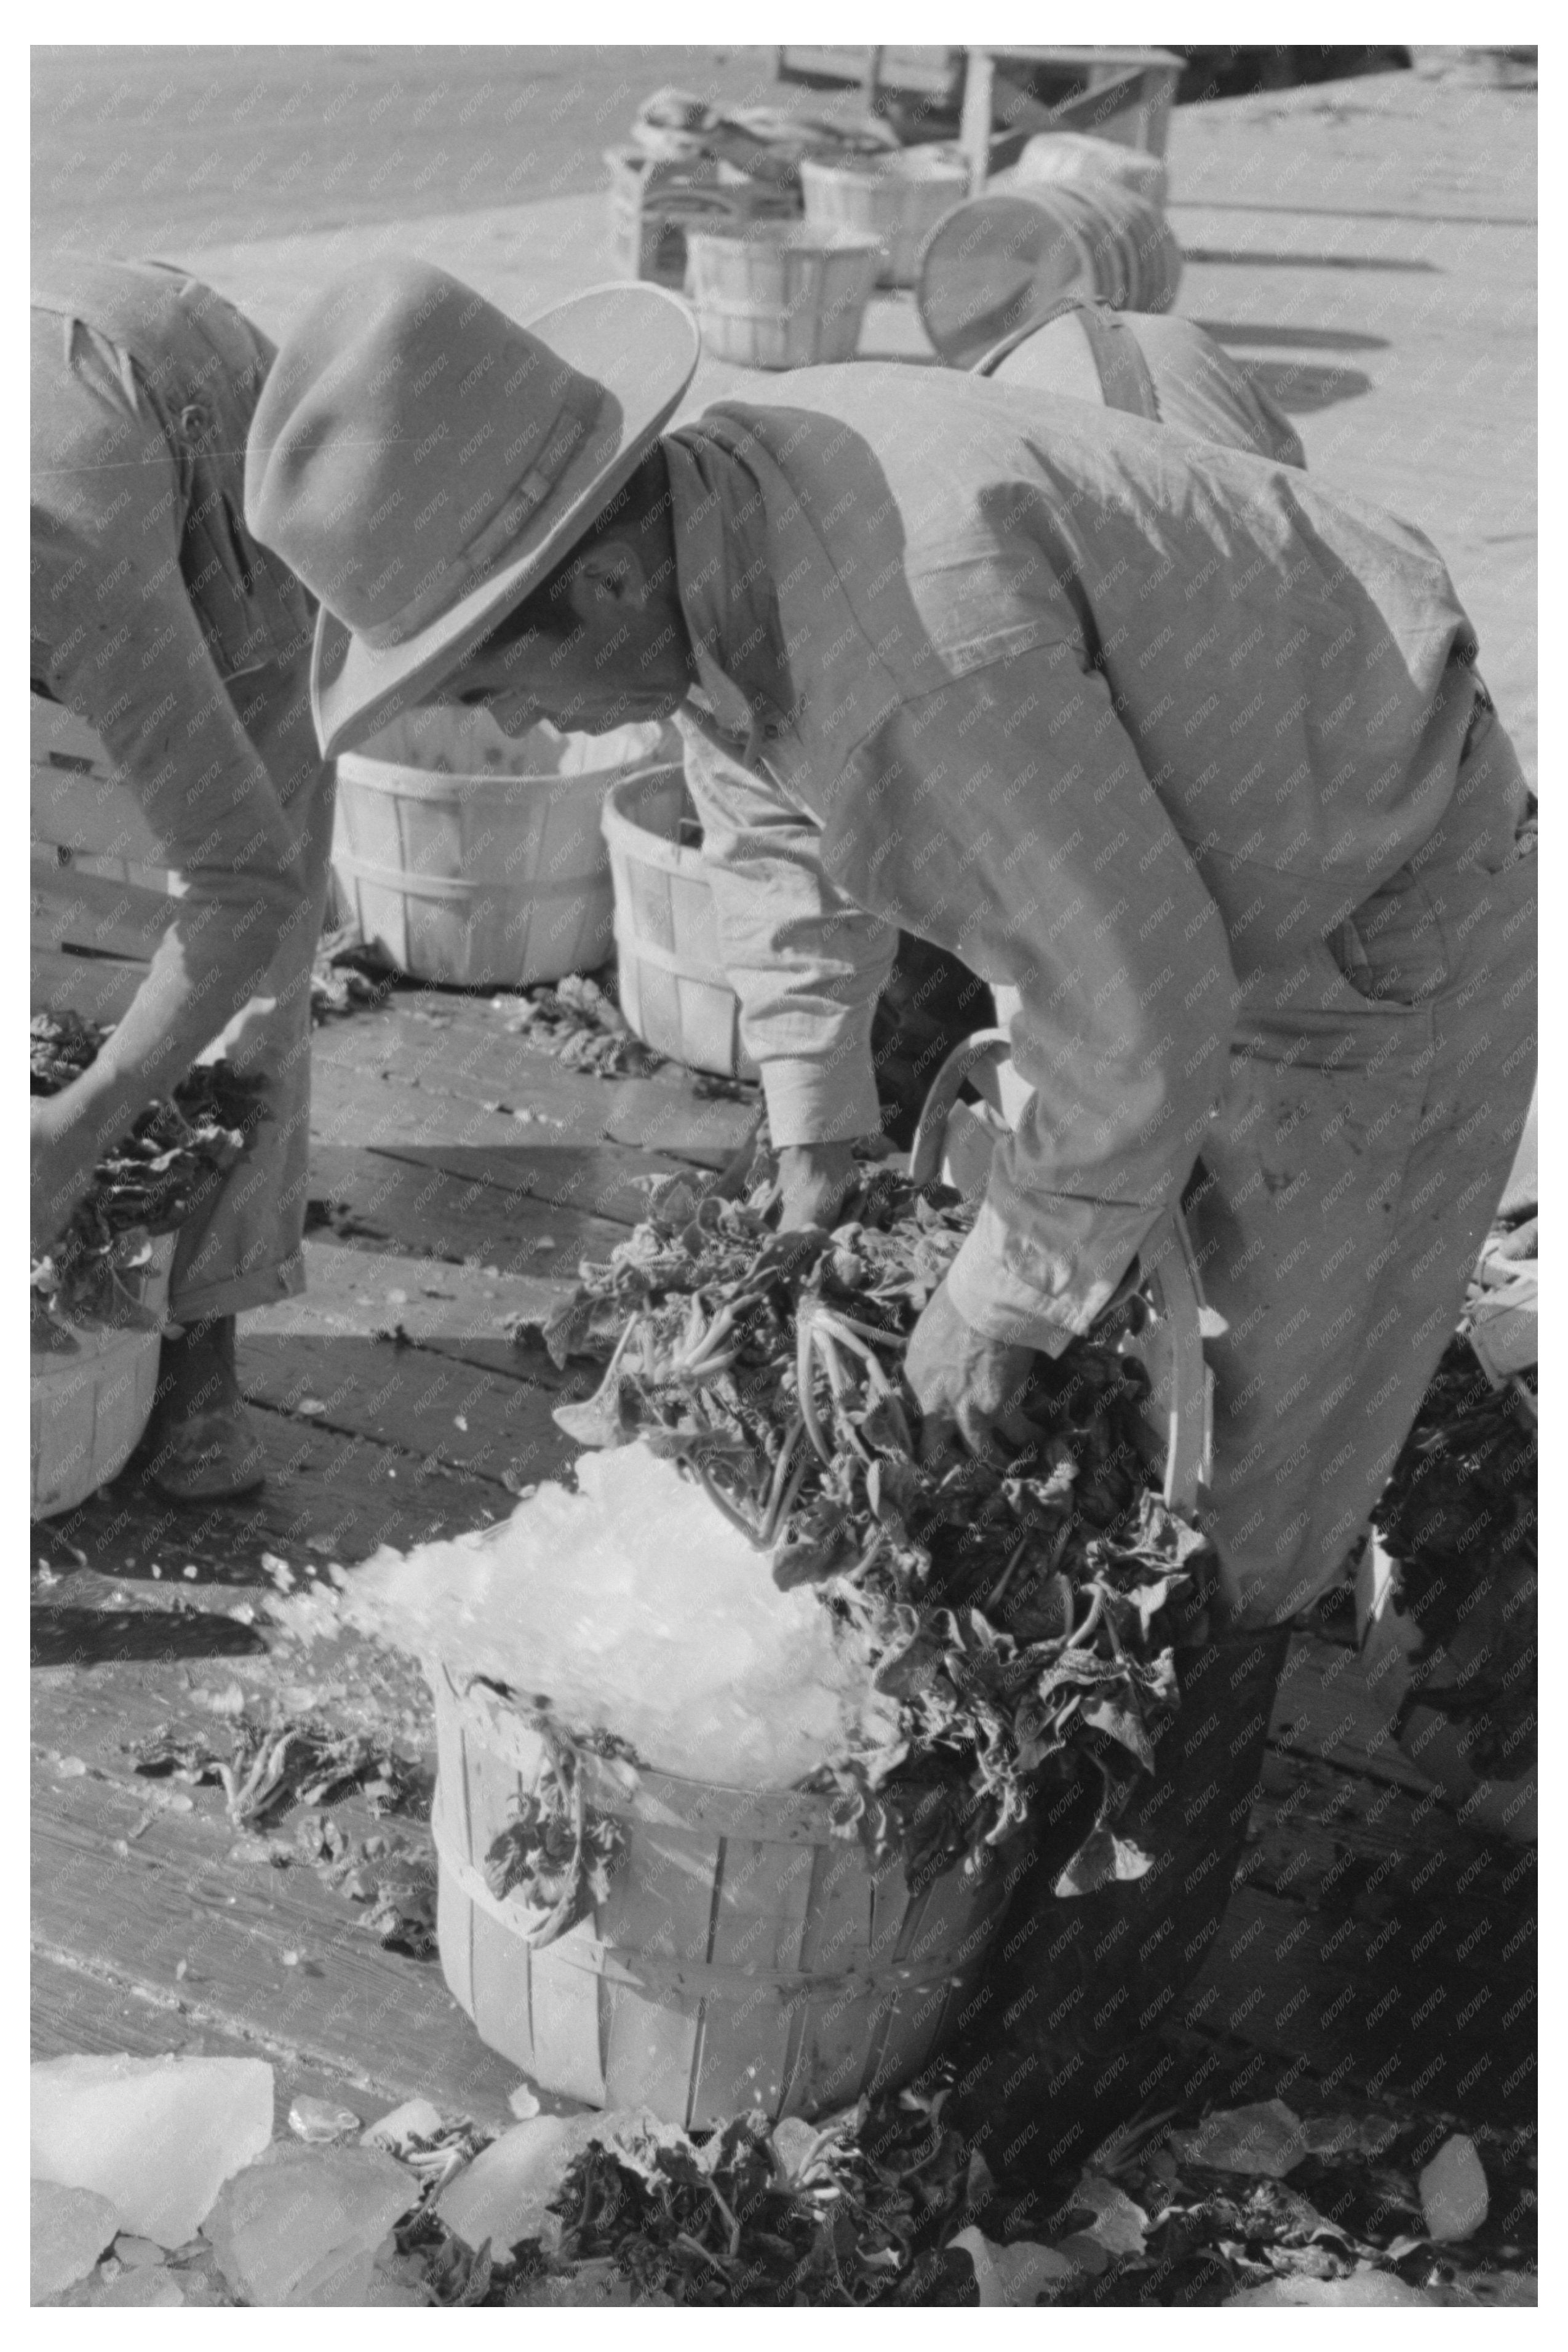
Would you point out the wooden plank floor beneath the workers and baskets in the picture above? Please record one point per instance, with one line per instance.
(1369, 248)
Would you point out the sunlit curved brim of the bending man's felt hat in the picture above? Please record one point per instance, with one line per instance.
(643, 347)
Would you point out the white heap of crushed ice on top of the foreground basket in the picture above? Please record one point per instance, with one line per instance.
(636, 1608)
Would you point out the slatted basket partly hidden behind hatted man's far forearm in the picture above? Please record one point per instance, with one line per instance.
(669, 965)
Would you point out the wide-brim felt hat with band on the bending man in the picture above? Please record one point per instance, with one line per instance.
(424, 462)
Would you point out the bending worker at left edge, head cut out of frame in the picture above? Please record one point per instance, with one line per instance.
(187, 648)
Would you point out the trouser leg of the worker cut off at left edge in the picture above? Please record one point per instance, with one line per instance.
(243, 1243)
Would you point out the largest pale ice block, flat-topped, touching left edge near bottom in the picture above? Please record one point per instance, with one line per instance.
(159, 2137)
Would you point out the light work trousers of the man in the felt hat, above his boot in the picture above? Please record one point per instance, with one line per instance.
(1346, 1194)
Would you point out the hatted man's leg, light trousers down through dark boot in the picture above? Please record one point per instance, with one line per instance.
(1343, 1196)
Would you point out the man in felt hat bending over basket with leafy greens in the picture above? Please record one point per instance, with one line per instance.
(1167, 740)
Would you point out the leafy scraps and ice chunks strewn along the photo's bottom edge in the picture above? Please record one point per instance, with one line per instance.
(880, 2207)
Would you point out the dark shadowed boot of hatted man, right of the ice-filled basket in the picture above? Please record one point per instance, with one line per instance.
(1066, 2040)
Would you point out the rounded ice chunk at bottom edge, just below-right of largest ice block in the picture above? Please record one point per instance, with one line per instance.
(307, 2224)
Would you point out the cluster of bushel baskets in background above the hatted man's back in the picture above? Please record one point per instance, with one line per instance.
(782, 227)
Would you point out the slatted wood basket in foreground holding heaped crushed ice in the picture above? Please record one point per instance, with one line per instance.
(744, 1956)
